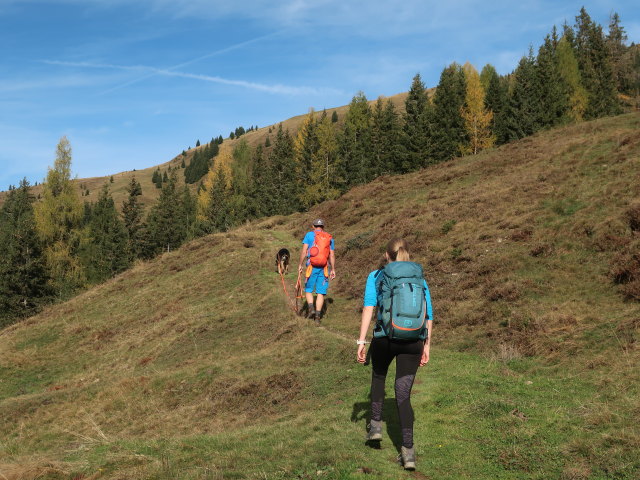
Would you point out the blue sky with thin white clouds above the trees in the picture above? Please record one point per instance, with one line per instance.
(132, 83)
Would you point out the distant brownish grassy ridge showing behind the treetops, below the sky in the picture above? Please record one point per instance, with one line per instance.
(149, 191)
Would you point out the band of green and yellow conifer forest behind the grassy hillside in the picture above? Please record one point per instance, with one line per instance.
(57, 245)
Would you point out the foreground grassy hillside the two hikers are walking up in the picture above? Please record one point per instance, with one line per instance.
(191, 366)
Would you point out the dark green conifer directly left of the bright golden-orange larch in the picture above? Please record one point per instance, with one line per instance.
(447, 125)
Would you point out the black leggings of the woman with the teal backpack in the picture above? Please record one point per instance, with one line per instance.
(408, 355)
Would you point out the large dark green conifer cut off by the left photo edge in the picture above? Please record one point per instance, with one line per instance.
(23, 277)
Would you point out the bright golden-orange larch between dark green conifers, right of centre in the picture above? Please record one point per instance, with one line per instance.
(477, 119)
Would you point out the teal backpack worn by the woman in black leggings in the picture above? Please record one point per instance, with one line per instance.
(402, 309)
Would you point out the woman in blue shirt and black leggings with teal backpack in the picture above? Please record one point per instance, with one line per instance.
(409, 346)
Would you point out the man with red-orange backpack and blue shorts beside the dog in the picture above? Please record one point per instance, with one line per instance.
(318, 258)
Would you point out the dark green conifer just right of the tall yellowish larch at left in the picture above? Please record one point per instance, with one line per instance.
(107, 253)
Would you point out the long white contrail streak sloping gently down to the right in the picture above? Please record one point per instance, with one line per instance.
(274, 89)
